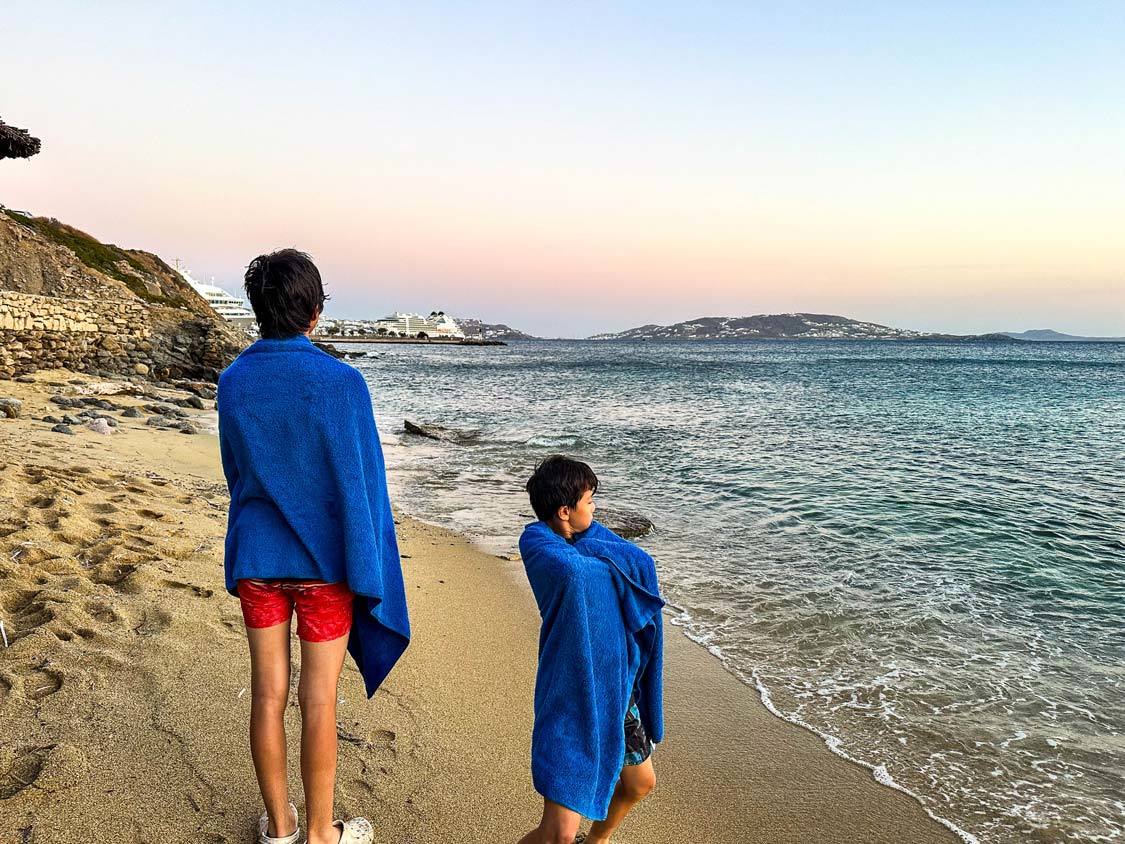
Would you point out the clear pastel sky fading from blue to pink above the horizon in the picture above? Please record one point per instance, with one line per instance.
(573, 168)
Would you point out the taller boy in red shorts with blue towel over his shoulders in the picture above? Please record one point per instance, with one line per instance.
(310, 531)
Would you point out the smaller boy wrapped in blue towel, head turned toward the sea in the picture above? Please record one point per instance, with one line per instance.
(599, 707)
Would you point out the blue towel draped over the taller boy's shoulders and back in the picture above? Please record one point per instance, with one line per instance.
(309, 492)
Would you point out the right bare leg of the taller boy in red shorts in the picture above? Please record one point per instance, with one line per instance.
(321, 663)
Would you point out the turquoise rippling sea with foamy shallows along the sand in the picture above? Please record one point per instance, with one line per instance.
(916, 550)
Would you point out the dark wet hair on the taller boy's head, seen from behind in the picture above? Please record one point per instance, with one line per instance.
(286, 292)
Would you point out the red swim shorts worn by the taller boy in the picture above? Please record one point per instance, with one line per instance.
(325, 610)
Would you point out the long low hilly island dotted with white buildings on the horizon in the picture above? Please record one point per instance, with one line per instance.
(786, 327)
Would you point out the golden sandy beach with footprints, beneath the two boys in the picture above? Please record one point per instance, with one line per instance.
(123, 685)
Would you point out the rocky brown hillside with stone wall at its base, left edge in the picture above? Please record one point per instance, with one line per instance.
(69, 301)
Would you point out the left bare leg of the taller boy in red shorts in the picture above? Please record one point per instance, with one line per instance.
(269, 692)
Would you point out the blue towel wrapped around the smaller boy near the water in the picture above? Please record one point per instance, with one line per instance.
(602, 639)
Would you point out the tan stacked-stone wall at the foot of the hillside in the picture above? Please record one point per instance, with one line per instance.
(114, 336)
